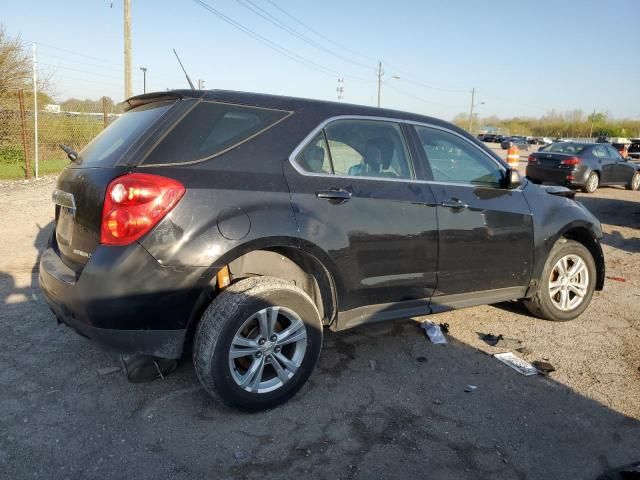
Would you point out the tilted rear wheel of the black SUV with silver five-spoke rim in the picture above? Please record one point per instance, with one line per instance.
(231, 325)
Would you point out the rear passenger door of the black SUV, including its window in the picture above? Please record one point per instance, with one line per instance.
(354, 196)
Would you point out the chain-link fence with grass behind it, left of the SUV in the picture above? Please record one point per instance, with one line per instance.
(72, 125)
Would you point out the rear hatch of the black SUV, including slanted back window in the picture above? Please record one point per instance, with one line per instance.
(80, 192)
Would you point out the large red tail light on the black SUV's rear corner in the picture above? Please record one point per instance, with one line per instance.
(134, 204)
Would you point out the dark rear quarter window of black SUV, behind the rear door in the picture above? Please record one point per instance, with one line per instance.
(210, 129)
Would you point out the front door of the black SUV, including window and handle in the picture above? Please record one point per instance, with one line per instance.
(485, 231)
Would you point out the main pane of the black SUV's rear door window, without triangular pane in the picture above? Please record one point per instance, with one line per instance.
(368, 148)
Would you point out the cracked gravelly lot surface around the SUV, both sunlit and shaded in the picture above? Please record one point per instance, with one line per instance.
(384, 402)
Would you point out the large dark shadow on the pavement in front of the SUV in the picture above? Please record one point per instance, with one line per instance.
(383, 403)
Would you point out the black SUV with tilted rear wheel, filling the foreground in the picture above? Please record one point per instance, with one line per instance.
(248, 223)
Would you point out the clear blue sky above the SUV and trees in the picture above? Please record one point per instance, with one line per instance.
(523, 57)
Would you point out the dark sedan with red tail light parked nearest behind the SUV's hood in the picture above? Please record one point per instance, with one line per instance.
(583, 165)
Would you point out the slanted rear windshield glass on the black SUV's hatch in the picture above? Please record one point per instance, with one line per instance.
(110, 145)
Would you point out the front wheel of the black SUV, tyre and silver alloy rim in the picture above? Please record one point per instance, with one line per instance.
(544, 304)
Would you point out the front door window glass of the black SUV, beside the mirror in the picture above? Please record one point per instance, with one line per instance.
(454, 160)
